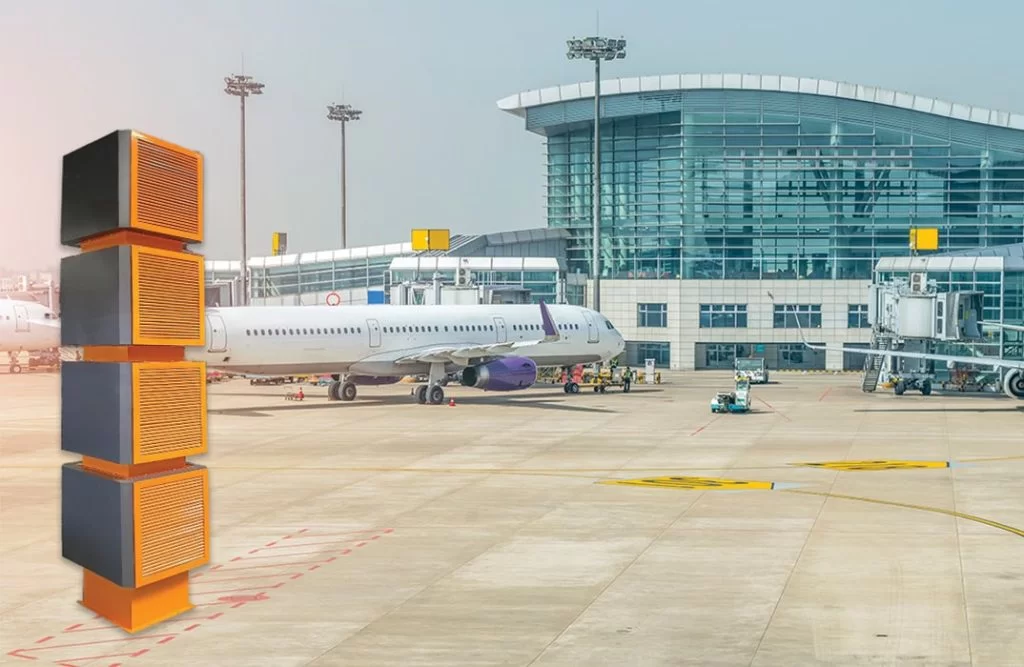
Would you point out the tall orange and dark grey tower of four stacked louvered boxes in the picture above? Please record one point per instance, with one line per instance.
(136, 513)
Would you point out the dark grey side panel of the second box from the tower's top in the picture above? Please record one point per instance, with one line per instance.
(96, 299)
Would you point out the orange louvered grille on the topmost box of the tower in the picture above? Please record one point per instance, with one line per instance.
(167, 189)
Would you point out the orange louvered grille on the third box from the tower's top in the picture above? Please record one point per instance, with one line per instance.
(170, 411)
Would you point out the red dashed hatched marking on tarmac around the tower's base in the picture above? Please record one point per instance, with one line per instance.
(274, 575)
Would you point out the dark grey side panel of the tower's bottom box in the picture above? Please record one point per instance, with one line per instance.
(97, 524)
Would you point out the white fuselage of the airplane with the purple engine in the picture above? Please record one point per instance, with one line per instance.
(370, 340)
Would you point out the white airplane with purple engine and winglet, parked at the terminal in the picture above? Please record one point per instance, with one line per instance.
(498, 348)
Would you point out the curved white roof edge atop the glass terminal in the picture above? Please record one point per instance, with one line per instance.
(520, 103)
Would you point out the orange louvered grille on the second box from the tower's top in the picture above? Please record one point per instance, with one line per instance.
(169, 298)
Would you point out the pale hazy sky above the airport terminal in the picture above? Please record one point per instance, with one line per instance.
(433, 150)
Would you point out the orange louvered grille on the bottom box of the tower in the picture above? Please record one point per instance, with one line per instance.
(170, 530)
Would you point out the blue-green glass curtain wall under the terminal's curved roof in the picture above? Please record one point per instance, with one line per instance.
(764, 185)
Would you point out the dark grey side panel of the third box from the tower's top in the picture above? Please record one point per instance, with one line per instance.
(97, 410)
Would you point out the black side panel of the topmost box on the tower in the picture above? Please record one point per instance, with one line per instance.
(96, 188)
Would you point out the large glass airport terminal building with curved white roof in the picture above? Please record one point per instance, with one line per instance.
(717, 189)
